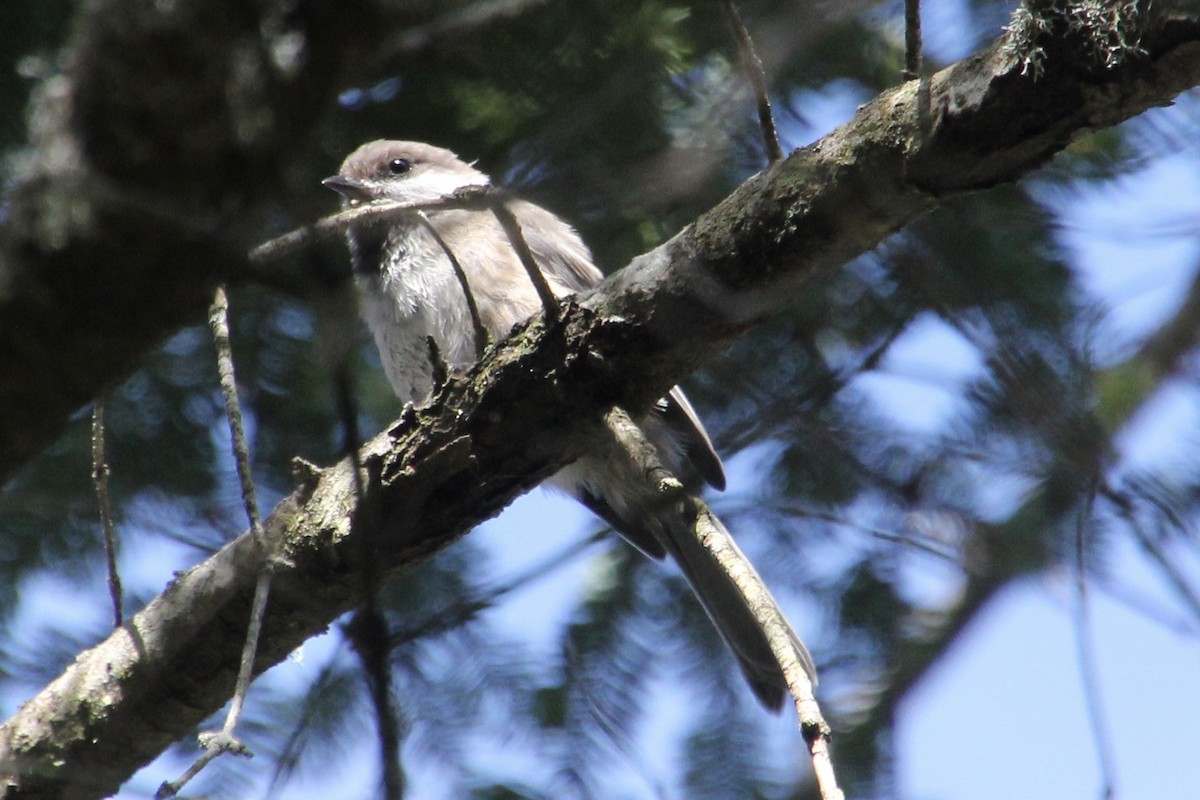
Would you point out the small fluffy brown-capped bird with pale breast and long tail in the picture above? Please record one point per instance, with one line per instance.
(409, 292)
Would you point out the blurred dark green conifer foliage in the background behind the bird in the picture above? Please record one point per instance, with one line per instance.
(629, 118)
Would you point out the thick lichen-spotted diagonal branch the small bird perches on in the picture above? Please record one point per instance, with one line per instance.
(537, 401)
